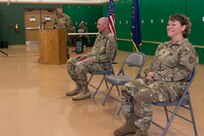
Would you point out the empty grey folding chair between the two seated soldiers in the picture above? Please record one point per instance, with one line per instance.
(134, 60)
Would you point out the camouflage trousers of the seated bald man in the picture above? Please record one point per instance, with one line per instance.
(78, 70)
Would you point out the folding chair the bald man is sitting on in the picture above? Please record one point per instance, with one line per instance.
(108, 71)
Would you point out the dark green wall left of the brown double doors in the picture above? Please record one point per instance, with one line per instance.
(14, 14)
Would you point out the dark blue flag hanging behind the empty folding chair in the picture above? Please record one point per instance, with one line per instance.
(136, 32)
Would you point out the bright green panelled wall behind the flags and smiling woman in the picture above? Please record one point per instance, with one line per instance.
(154, 18)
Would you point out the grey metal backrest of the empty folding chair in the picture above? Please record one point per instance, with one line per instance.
(135, 60)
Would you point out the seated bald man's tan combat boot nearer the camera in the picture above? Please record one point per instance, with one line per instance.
(84, 94)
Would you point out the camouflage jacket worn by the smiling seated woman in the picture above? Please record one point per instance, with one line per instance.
(173, 61)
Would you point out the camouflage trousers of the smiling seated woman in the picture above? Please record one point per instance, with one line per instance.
(138, 96)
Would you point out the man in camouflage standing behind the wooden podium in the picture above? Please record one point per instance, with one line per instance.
(64, 22)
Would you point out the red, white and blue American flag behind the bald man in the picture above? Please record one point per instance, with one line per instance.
(111, 17)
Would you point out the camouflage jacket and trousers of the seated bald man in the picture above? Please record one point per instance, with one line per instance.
(101, 54)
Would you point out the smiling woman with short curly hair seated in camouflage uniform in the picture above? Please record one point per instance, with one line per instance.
(164, 81)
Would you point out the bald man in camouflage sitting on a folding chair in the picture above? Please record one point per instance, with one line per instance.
(98, 59)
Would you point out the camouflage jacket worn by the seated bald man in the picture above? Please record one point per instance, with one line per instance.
(103, 48)
